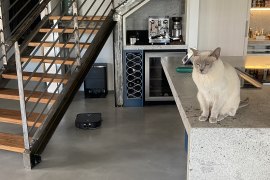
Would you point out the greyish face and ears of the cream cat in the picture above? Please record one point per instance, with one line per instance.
(203, 63)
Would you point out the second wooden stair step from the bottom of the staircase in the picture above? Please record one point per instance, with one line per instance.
(14, 117)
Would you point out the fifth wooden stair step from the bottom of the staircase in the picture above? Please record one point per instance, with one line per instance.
(58, 60)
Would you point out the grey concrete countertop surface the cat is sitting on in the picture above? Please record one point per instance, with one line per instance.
(256, 115)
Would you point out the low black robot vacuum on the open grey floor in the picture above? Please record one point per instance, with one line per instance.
(88, 120)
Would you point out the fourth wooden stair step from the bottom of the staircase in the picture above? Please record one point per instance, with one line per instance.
(37, 77)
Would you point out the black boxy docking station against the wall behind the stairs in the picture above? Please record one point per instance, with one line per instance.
(95, 83)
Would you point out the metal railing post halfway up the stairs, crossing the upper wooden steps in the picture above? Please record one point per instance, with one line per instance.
(76, 32)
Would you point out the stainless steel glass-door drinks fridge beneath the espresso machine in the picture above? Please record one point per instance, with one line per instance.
(156, 85)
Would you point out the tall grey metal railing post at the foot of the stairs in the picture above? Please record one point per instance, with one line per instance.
(27, 160)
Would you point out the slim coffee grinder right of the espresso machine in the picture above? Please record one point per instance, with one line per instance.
(176, 33)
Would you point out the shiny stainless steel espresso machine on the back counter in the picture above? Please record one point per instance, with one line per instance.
(158, 29)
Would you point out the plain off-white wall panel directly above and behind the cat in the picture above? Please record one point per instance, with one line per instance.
(222, 23)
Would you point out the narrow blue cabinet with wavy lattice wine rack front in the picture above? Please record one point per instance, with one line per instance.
(133, 78)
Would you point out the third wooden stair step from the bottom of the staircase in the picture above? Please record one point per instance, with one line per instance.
(13, 94)
